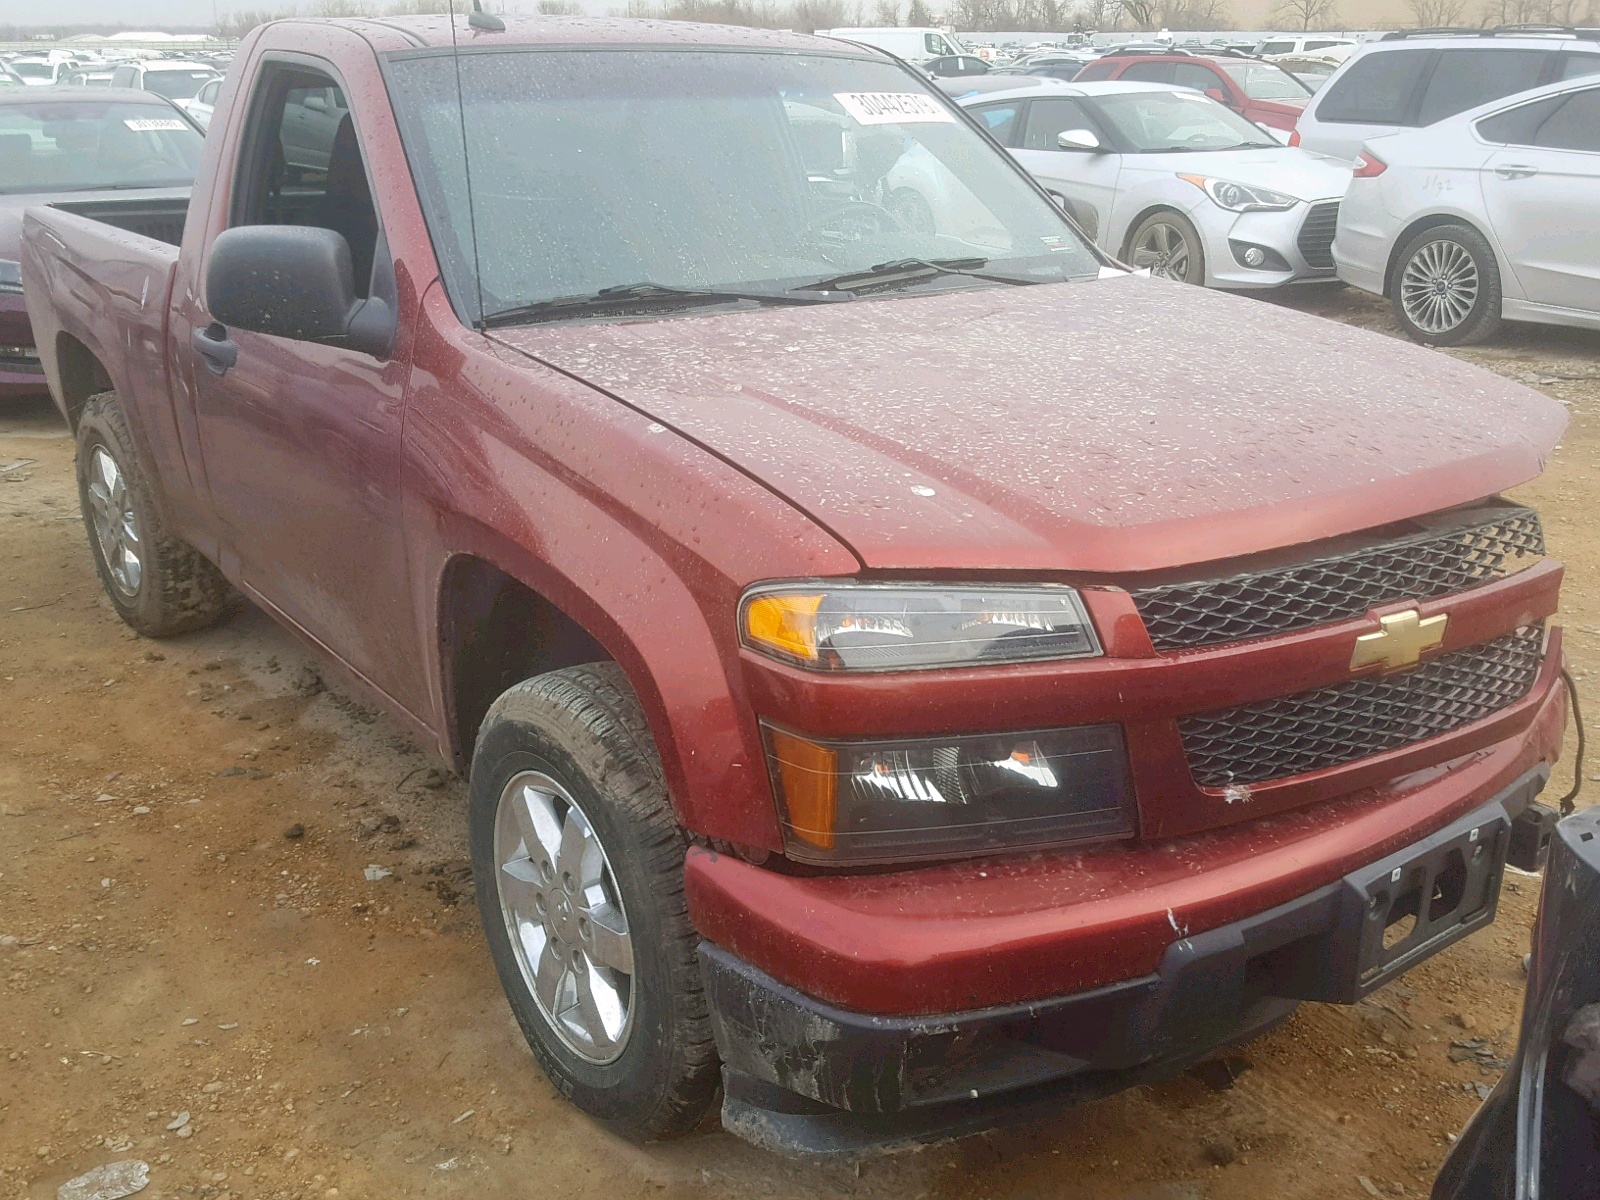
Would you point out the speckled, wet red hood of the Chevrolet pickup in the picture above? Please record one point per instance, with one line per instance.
(1100, 428)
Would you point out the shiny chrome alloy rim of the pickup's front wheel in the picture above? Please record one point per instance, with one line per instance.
(566, 919)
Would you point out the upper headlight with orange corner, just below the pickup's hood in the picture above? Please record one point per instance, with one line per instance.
(846, 626)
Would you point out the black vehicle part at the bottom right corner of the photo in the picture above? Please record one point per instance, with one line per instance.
(1538, 1134)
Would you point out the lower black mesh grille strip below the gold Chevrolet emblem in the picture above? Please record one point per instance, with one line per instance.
(1361, 718)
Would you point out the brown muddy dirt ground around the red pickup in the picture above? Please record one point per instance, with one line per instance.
(186, 927)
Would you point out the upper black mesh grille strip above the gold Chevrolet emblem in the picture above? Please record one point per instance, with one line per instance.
(1474, 550)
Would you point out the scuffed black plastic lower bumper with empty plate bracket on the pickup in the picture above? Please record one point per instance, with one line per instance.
(804, 1078)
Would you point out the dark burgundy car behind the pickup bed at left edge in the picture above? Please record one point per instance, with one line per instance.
(76, 148)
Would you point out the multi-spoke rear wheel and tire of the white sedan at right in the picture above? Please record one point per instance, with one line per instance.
(1447, 287)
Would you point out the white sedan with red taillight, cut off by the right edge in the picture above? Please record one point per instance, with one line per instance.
(1492, 215)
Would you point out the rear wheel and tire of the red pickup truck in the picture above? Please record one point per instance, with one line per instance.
(158, 583)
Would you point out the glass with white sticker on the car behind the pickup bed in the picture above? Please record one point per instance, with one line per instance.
(87, 146)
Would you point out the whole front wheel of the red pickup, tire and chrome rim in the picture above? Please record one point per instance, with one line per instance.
(566, 761)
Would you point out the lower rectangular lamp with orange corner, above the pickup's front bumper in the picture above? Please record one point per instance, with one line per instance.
(940, 798)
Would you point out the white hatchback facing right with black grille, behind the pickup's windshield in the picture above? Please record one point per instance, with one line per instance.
(1169, 180)
